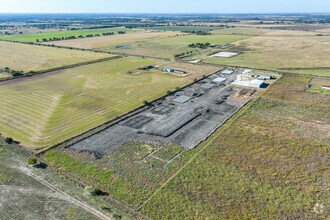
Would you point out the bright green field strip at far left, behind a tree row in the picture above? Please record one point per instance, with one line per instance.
(59, 34)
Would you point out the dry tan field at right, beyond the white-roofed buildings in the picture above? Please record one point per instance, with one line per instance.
(290, 51)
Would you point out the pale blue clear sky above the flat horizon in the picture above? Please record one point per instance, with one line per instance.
(164, 6)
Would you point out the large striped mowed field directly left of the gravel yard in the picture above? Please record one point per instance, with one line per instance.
(42, 111)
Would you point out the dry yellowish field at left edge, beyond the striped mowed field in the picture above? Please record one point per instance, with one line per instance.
(24, 57)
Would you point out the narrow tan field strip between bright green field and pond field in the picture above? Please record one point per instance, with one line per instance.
(115, 40)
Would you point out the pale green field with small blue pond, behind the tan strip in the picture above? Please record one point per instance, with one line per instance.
(168, 47)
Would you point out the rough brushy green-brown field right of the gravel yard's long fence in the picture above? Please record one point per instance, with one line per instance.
(262, 165)
